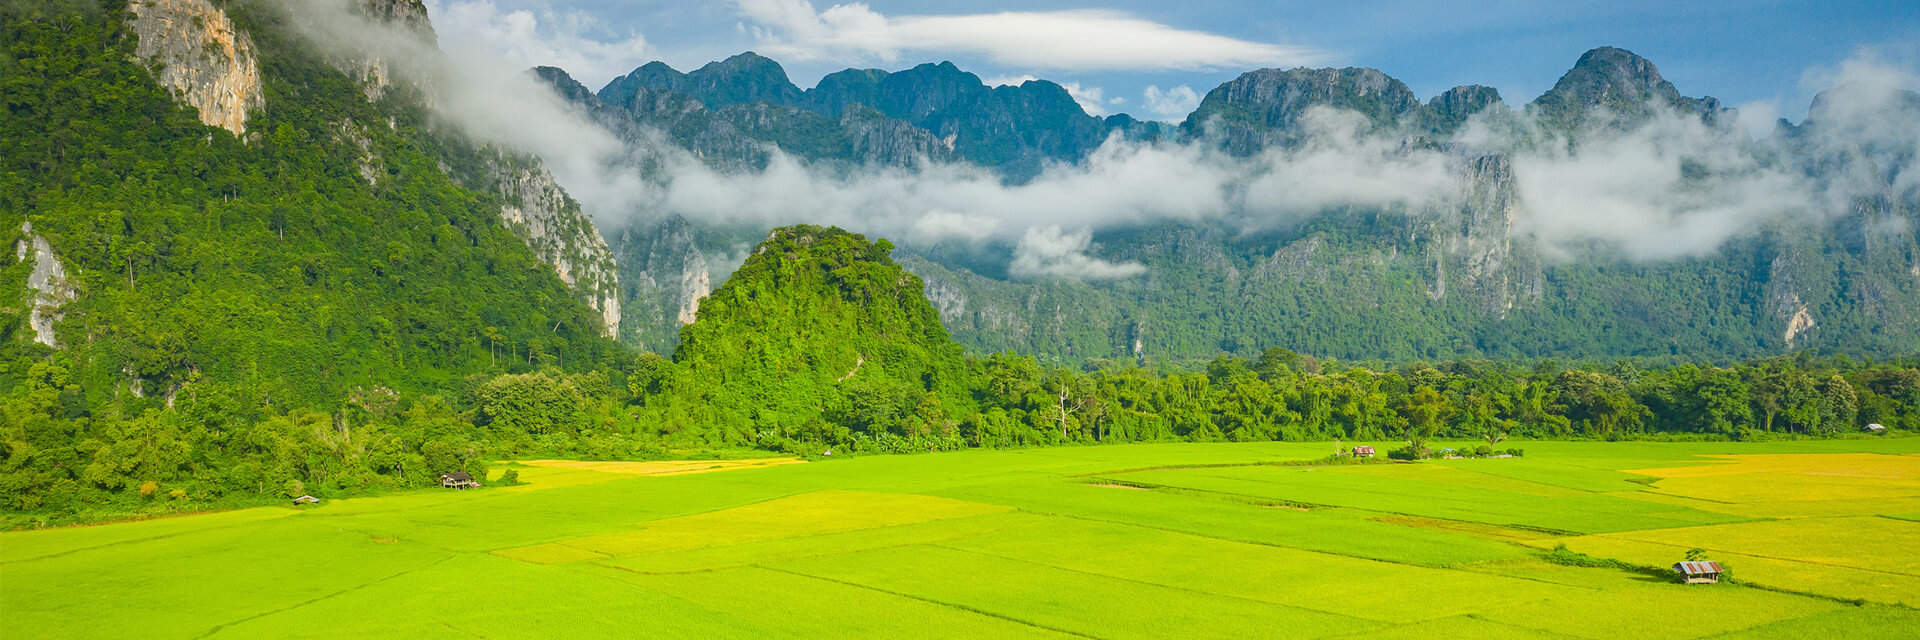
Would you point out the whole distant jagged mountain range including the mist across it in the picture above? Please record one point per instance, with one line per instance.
(1328, 210)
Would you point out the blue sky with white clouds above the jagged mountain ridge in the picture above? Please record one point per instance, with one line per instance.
(1157, 59)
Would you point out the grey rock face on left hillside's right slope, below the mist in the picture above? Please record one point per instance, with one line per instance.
(554, 228)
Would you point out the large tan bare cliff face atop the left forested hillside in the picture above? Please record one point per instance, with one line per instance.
(201, 59)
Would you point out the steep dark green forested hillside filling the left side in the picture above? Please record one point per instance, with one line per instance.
(216, 305)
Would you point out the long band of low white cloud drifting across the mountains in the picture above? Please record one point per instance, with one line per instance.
(1668, 189)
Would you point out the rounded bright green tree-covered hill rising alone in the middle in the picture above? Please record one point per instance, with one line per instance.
(821, 322)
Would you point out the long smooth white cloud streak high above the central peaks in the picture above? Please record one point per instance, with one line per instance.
(1080, 39)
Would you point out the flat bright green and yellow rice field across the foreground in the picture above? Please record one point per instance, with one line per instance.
(1151, 541)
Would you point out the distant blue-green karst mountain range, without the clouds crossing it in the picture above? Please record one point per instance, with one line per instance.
(1466, 276)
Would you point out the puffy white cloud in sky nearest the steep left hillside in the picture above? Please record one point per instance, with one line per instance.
(575, 41)
